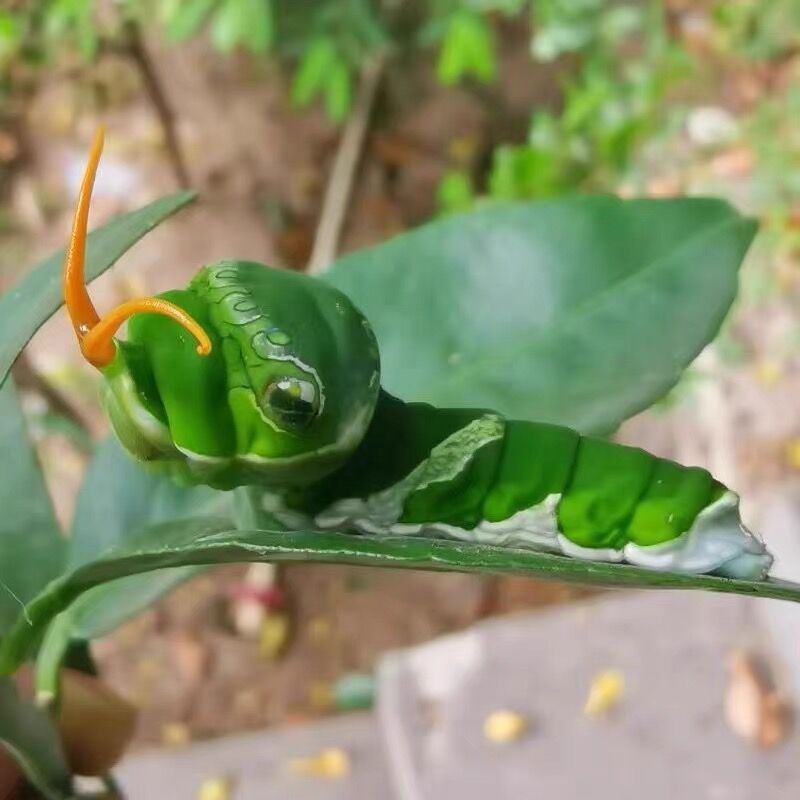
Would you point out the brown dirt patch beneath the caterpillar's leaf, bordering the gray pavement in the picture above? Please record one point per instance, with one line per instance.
(187, 671)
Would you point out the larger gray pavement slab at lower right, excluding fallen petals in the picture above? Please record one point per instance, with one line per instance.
(668, 738)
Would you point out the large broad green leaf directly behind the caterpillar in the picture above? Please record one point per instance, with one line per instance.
(579, 311)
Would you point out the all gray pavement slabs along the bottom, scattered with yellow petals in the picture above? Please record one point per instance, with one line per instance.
(680, 724)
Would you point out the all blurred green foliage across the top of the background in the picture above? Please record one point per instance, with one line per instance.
(629, 71)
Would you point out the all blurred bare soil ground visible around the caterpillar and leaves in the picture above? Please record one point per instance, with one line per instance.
(262, 168)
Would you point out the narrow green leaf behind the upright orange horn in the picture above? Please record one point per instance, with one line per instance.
(28, 305)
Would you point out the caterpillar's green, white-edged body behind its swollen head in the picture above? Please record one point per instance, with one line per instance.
(531, 485)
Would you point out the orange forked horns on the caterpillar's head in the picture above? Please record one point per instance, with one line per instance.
(95, 335)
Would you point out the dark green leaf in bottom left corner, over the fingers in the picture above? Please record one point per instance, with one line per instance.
(32, 739)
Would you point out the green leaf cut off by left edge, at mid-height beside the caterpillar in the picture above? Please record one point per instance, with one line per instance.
(31, 546)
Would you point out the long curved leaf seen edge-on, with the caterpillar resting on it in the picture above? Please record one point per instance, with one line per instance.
(208, 541)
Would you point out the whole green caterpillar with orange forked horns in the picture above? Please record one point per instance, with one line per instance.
(271, 378)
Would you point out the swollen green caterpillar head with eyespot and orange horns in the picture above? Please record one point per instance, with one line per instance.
(249, 376)
